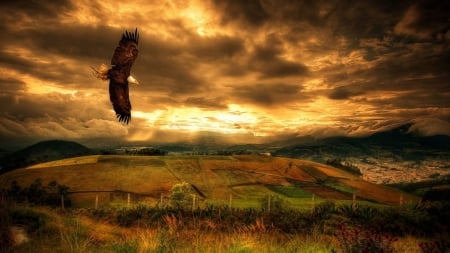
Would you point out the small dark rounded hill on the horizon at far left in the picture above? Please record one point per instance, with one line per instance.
(42, 152)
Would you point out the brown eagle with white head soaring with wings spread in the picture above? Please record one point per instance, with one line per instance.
(119, 74)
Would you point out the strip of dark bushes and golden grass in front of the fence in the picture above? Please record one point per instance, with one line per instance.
(327, 228)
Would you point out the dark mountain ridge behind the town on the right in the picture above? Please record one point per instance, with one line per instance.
(398, 143)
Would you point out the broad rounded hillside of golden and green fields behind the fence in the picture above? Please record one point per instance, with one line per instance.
(245, 178)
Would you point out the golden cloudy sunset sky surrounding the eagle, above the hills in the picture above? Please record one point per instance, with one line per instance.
(248, 71)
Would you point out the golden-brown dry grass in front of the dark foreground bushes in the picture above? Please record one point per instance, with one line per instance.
(74, 232)
